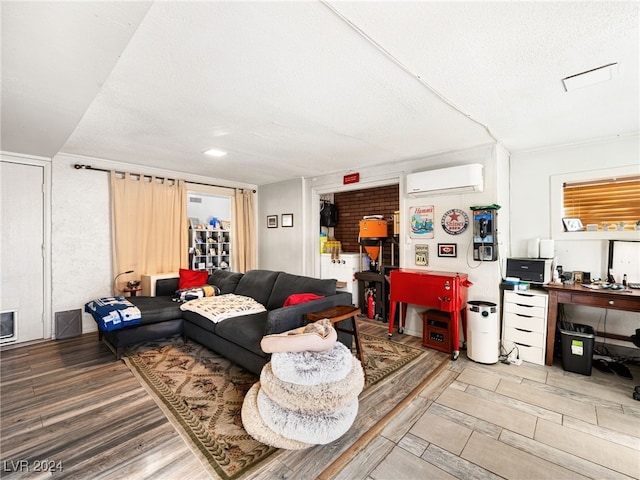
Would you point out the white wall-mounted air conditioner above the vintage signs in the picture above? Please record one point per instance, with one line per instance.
(460, 179)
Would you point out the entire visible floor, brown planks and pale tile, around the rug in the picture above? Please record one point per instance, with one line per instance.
(70, 403)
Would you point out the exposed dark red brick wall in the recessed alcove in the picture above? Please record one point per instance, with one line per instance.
(352, 206)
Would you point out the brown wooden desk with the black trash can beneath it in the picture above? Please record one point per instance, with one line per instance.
(578, 295)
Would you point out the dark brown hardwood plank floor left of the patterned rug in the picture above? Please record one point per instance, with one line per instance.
(70, 403)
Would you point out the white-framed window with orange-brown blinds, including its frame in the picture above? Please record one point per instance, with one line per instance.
(598, 201)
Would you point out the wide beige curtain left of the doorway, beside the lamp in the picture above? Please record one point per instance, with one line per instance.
(149, 226)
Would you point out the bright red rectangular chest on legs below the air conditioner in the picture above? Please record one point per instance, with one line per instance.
(444, 291)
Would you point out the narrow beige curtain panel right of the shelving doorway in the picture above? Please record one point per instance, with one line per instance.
(243, 247)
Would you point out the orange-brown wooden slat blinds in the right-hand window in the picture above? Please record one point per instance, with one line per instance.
(604, 204)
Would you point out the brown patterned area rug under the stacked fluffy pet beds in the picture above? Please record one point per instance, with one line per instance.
(201, 393)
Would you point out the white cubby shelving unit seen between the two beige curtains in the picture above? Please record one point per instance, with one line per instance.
(210, 249)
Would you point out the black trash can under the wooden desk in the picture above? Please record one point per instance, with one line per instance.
(577, 347)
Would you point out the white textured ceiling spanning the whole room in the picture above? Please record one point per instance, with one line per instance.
(295, 89)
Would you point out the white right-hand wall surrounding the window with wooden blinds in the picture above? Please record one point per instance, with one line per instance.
(531, 217)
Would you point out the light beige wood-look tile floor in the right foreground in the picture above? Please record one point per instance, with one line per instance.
(515, 422)
